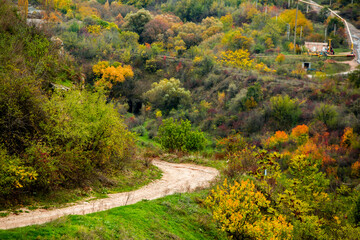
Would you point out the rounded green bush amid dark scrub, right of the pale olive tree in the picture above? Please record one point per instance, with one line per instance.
(284, 111)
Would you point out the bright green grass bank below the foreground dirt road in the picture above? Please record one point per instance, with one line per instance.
(173, 217)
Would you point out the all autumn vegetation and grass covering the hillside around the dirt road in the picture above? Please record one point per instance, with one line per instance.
(215, 82)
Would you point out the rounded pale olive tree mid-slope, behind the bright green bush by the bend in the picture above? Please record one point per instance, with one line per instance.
(167, 94)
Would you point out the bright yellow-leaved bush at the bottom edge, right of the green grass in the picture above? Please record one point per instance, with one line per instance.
(238, 208)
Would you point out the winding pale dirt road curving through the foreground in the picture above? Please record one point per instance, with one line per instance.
(177, 178)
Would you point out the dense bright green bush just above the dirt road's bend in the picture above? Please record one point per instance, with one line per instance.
(177, 135)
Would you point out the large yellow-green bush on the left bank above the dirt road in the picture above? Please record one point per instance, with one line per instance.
(82, 135)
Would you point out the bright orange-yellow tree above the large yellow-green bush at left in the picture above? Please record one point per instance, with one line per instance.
(108, 75)
